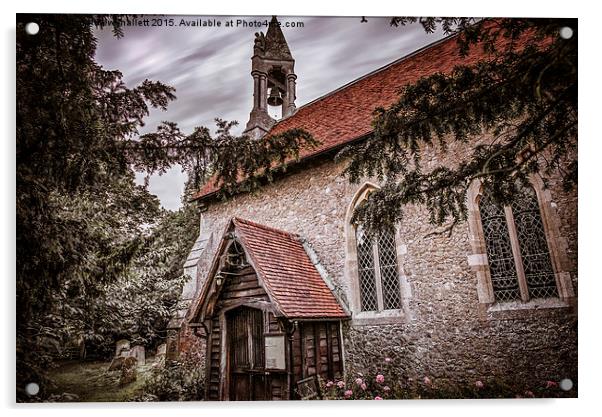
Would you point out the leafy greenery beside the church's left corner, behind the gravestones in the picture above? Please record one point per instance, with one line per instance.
(141, 301)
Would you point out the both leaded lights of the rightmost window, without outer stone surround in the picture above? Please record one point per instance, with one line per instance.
(517, 249)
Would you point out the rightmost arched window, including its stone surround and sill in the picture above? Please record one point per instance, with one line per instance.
(518, 254)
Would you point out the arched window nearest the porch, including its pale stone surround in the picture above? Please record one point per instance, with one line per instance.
(373, 268)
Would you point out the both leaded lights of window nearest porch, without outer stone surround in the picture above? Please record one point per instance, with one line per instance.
(377, 271)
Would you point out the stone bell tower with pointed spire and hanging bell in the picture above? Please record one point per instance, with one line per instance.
(274, 79)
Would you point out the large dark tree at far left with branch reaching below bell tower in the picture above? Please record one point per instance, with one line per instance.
(80, 216)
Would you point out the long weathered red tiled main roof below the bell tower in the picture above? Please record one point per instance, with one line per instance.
(345, 114)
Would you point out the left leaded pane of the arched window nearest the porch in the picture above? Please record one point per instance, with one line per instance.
(366, 272)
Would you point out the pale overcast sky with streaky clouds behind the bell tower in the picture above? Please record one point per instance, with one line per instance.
(210, 67)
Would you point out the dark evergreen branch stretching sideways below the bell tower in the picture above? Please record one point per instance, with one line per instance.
(237, 163)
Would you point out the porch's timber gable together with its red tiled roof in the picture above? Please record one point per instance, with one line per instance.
(259, 264)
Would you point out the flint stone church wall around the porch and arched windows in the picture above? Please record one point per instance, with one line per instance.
(444, 333)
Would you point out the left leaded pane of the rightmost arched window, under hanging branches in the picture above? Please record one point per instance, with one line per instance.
(504, 278)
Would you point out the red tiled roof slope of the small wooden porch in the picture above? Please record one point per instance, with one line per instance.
(289, 276)
